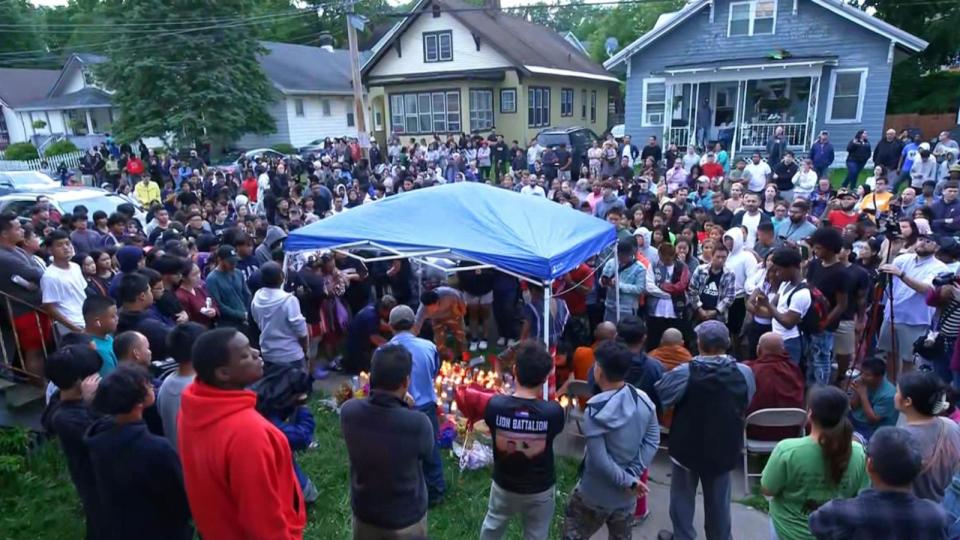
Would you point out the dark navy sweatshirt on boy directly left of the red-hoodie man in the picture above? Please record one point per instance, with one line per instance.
(139, 482)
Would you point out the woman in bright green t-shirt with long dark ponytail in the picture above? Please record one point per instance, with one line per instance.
(806, 472)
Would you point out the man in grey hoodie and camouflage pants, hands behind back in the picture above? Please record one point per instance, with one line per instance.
(622, 434)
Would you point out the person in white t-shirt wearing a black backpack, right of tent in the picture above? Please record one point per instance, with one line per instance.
(792, 300)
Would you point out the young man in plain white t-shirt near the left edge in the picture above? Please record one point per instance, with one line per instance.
(63, 285)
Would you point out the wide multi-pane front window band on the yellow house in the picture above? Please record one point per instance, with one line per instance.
(425, 112)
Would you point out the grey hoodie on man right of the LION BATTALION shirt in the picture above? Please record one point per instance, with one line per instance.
(622, 437)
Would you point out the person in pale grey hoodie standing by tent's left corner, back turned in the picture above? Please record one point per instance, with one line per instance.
(283, 329)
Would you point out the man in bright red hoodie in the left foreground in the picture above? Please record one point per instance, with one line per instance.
(237, 466)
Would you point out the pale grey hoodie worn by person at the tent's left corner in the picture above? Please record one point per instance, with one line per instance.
(277, 313)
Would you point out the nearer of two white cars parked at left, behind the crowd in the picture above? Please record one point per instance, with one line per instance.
(66, 199)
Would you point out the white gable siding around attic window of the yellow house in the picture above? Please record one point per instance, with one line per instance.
(465, 53)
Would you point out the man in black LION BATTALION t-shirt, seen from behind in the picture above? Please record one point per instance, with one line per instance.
(523, 427)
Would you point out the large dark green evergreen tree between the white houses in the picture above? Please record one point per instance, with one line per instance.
(199, 83)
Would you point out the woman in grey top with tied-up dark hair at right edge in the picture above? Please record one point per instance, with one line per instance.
(922, 398)
